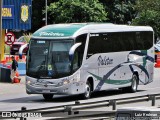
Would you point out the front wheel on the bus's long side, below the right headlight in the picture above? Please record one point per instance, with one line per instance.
(87, 93)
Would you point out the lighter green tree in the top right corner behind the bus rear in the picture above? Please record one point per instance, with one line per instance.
(148, 14)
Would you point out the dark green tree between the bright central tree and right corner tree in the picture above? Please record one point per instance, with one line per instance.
(120, 11)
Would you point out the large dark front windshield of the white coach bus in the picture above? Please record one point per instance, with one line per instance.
(49, 59)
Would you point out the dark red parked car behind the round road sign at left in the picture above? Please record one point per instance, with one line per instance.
(16, 46)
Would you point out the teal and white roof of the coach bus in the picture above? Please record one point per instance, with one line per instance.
(75, 29)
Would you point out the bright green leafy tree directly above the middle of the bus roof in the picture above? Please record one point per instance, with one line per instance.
(69, 11)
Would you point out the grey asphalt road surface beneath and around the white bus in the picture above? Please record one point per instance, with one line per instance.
(13, 96)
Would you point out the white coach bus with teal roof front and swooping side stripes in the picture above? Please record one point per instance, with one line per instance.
(81, 58)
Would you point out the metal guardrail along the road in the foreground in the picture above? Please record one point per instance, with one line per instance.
(73, 111)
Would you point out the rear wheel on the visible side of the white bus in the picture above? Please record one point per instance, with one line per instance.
(134, 83)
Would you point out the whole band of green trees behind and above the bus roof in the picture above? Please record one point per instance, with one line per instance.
(140, 12)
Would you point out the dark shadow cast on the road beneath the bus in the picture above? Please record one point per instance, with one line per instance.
(62, 99)
